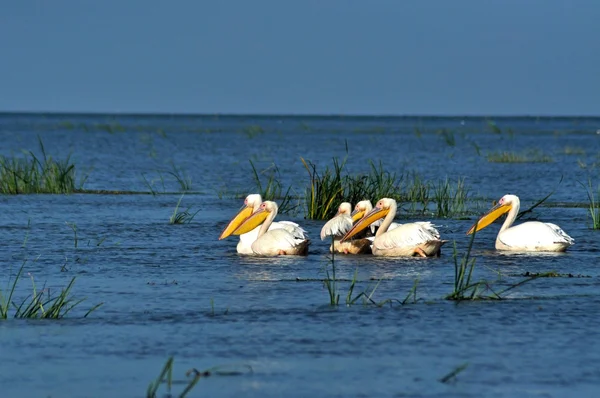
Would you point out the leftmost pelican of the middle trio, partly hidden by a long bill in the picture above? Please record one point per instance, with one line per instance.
(338, 226)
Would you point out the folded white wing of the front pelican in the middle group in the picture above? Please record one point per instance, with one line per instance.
(407, 235)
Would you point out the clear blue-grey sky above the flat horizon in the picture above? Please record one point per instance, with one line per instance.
(376, 57)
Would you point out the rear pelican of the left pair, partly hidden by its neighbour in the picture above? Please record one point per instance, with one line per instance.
(251, 205)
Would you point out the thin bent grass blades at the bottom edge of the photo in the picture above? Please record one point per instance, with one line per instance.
(194, 375)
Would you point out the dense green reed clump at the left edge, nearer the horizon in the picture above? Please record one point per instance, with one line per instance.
(30, 174)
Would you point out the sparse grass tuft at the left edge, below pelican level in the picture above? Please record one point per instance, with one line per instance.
(40, 303)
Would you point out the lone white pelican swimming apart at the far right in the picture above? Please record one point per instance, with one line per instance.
(530, 236)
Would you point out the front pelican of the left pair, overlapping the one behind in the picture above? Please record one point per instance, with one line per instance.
(272, 242)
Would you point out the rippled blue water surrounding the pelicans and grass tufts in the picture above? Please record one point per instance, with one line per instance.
(177, 290)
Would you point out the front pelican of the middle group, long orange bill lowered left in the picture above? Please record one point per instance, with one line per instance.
(416, 238)
